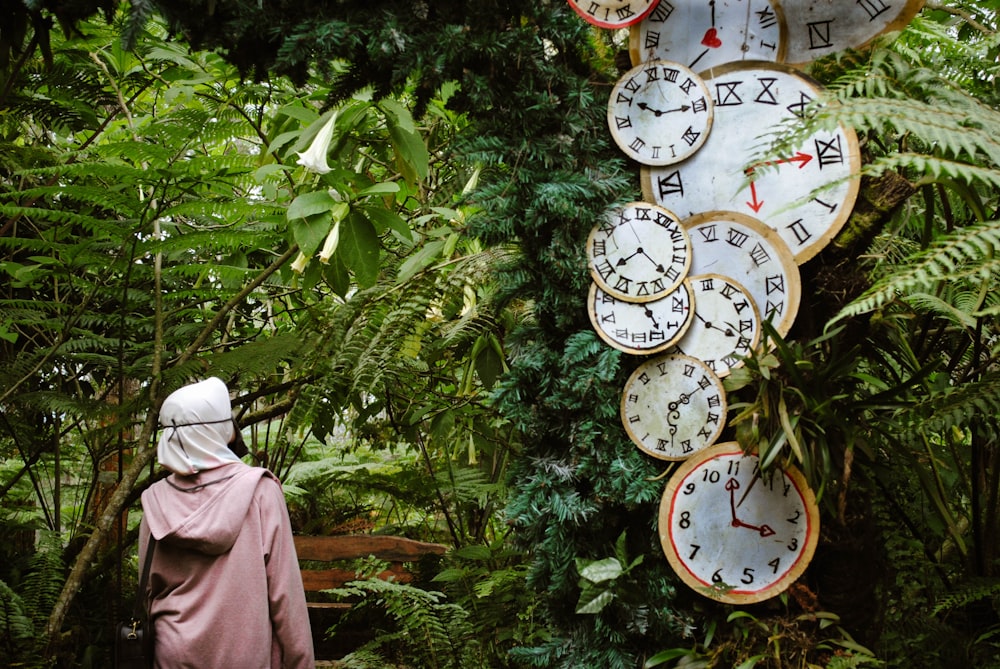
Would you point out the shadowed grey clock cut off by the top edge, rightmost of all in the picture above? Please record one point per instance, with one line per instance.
(820, 27)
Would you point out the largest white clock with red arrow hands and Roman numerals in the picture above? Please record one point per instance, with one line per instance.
(806, 193)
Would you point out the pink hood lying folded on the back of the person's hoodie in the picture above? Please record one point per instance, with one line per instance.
(203, 513)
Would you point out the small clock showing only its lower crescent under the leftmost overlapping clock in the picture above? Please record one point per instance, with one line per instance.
(641, 328)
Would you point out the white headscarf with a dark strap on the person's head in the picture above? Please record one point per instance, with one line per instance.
(197, 424)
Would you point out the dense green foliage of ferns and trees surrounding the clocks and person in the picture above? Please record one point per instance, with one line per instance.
(156, 226)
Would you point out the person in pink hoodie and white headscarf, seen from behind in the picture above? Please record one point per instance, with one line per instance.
(224, 586)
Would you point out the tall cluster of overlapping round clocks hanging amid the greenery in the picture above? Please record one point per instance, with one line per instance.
(686, 276)
